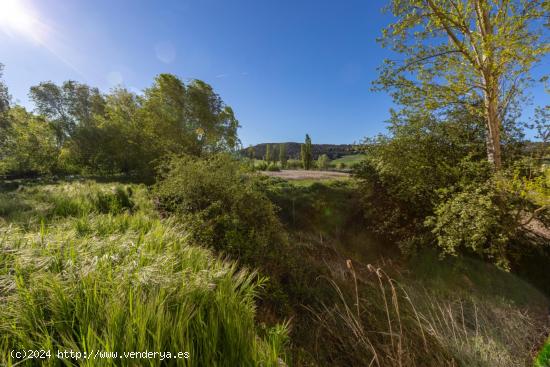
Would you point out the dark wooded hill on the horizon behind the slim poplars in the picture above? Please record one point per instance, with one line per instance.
(333, 151)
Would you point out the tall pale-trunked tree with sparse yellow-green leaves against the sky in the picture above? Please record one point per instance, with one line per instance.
(475, 53)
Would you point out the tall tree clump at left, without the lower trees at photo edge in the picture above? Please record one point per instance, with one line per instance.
(123, 132)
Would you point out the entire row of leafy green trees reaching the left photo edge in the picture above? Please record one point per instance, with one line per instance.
(82, 130)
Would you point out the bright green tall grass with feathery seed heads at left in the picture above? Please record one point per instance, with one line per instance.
(87, 267)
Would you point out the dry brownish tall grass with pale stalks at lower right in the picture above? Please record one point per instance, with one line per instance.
(388, 324)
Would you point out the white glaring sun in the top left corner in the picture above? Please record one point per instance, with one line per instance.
(17, 17)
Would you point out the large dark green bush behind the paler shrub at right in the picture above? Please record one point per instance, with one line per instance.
(402, 175)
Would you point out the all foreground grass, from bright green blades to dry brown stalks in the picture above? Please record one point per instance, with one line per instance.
(90, 266)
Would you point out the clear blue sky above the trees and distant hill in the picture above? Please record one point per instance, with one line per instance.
(286, 67)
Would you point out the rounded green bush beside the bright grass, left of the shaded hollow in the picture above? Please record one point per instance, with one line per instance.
(219, 202)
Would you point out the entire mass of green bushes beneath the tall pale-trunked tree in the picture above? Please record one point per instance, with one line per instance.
(432, 172)
